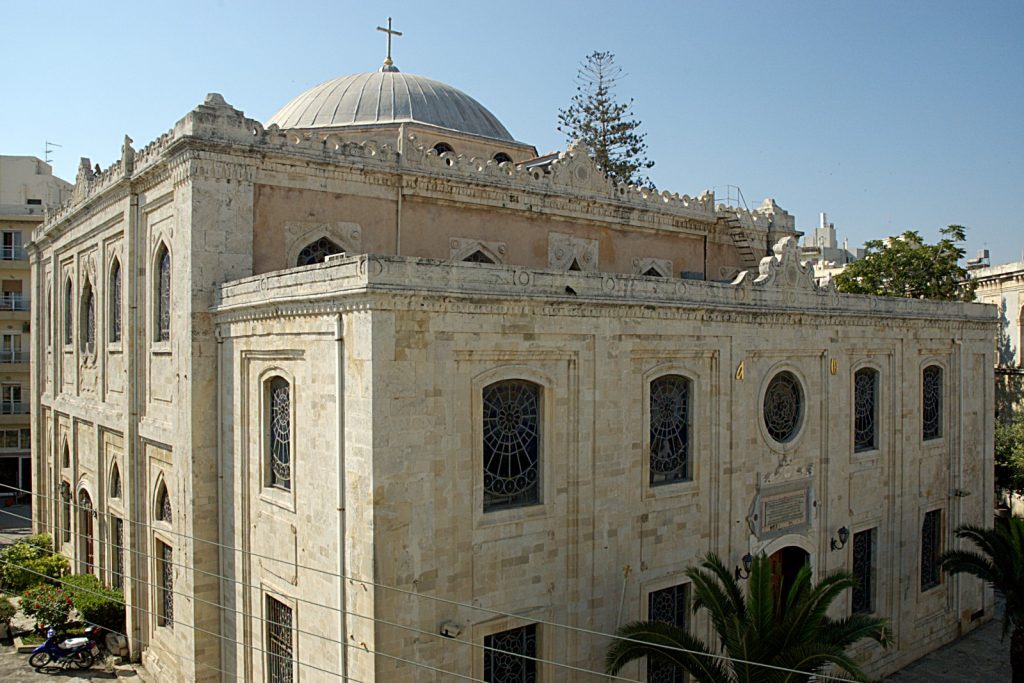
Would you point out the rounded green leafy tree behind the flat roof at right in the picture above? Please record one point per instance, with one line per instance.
(908, 267)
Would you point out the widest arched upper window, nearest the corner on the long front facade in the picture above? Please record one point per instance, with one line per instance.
(511, 445)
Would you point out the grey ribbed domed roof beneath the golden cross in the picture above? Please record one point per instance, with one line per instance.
(389, 97)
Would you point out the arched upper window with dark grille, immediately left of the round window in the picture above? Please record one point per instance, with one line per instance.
(670, 430)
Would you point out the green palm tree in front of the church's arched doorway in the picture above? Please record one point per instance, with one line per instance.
(765, 637)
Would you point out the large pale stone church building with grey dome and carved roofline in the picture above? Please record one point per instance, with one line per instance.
(371, 392)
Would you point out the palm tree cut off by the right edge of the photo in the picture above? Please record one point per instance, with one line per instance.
(1001, 565)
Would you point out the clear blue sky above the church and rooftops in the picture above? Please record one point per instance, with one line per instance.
(887, 115)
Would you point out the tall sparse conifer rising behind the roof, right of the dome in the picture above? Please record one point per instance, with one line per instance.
(605, 124)
